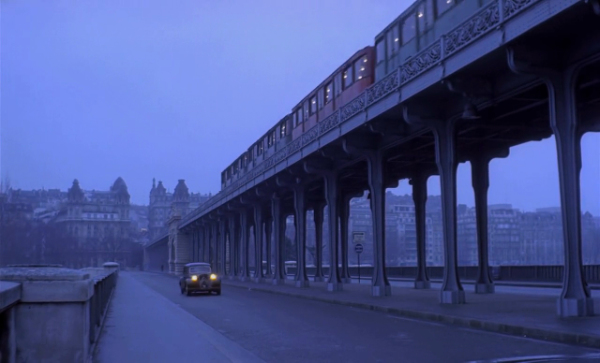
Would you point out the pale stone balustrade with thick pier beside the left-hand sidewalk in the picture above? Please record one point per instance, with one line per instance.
(52, 314)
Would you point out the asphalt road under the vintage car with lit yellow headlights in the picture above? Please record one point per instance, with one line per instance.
(286, 329)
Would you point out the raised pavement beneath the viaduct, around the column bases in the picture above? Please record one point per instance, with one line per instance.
(532, 316)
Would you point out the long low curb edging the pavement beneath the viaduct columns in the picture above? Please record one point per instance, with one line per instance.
(584, 340)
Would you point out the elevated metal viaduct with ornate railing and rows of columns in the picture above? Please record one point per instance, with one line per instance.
(516, 71)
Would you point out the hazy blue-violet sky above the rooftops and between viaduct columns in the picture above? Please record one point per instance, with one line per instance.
(142, 90)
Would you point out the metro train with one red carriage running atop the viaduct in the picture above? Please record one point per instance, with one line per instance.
(414, 30)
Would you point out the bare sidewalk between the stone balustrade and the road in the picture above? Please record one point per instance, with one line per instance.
(143, 326)
